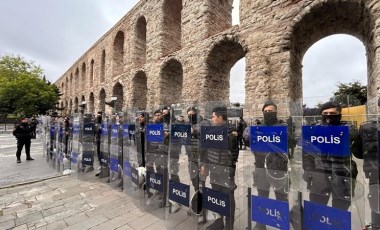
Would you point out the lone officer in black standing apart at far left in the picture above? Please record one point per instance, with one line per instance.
(23, 133)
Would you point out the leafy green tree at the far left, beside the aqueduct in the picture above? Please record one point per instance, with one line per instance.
(23, 89)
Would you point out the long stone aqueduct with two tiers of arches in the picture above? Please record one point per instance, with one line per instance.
(168, 51)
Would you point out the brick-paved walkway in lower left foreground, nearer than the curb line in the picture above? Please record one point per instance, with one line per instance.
(68, 203)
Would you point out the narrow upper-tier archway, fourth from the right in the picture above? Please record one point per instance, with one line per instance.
(118, 54)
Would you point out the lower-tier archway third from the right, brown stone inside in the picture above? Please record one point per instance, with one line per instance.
(171, 83)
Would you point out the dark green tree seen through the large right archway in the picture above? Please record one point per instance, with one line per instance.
(350, 94)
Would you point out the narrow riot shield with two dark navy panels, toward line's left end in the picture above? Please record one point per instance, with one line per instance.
(87, 147)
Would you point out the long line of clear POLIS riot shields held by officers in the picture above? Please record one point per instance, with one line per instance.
(183, 163)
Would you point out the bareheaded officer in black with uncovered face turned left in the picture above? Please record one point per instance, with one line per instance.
(223, 158)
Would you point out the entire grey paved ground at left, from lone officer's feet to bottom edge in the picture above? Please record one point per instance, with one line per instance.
(35, 196)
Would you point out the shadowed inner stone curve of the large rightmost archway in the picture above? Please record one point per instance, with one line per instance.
(331, 18)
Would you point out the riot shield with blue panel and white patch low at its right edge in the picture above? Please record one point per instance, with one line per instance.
(134, 154)
